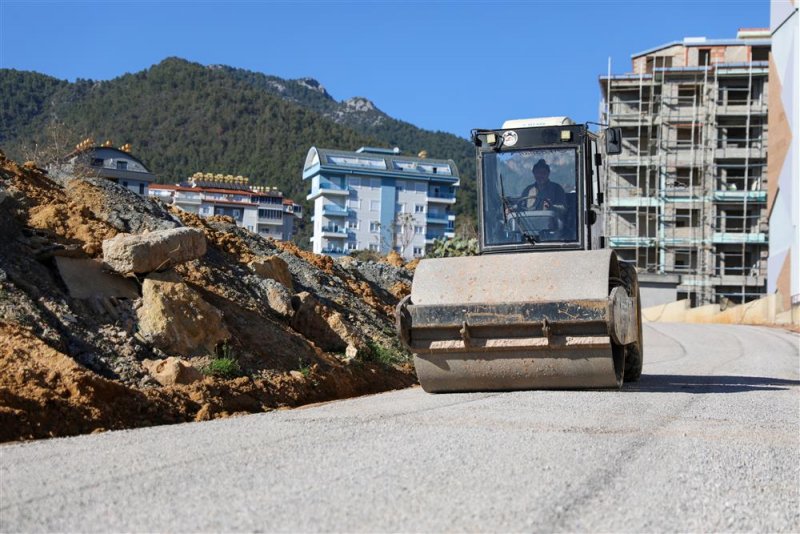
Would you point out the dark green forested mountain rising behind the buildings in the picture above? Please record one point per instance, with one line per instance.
(182, 117)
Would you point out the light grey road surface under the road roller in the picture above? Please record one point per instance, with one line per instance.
(709, 440)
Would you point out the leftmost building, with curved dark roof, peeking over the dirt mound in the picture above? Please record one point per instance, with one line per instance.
(114, 164)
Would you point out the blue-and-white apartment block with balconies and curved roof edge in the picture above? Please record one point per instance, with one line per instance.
(377, 199)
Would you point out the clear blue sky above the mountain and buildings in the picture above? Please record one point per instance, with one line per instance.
(440, 65)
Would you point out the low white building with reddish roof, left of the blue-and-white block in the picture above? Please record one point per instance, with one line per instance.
(263, 210)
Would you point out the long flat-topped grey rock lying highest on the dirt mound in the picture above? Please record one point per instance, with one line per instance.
(155, 251)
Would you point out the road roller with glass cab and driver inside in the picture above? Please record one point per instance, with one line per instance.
(545, 304)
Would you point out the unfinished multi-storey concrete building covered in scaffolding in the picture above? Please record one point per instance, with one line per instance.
(687, 196)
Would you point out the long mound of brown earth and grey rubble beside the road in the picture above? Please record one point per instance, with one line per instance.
(72, 362)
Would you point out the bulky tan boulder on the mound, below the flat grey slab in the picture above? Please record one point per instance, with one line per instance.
(176, 319)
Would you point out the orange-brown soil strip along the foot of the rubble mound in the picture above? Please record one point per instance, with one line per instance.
(44, 393)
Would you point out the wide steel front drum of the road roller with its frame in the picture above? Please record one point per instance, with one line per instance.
(519, 321)
